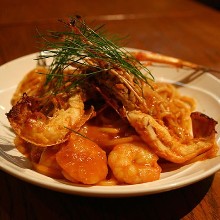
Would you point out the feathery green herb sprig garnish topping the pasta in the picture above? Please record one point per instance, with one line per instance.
(81, 44)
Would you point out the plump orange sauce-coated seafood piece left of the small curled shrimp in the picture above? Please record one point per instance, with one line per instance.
(82, 160)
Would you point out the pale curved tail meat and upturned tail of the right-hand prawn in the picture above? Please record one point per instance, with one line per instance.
(168, 146)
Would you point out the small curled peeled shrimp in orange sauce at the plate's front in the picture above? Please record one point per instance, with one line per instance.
(134, 163)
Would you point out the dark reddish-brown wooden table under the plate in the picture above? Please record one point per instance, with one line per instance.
(183, 29)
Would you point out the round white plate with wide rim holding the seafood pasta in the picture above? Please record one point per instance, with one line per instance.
(204, 88)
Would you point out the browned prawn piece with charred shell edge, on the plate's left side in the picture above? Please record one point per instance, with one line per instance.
(48, 125)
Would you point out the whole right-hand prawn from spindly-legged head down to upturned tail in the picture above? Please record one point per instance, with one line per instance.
(143, 111)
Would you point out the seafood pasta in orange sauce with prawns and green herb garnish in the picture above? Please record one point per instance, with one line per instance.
(96, 115)
